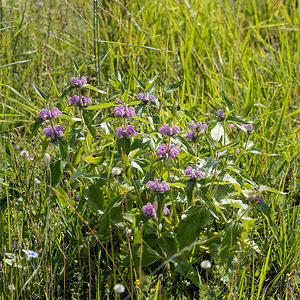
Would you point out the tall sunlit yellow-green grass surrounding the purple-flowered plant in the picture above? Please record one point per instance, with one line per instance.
(243, 52)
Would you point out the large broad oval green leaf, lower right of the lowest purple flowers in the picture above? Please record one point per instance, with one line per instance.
(190, 227)
